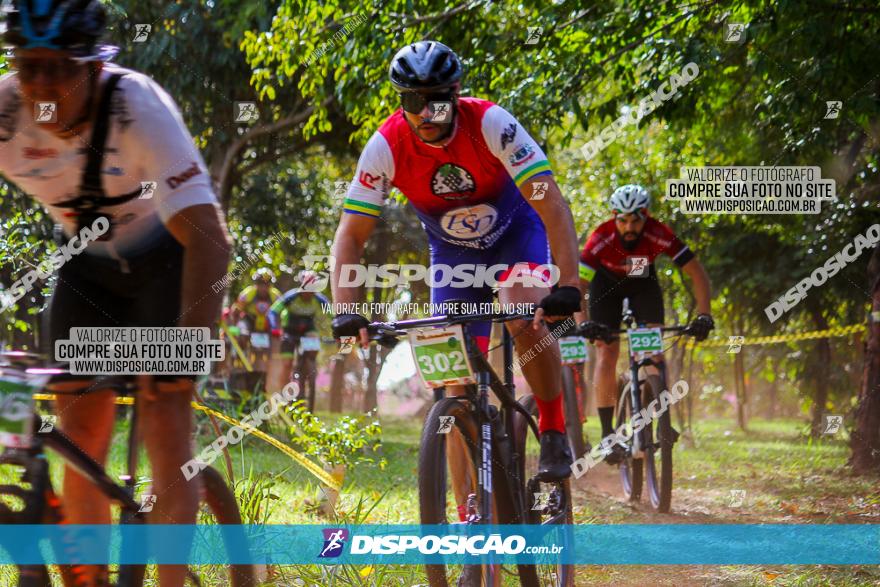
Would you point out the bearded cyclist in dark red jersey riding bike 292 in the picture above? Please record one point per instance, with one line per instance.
(617, 262)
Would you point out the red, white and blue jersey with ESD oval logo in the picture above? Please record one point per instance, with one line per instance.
(466, 192)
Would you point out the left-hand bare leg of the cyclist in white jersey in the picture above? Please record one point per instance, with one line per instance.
(88, 421)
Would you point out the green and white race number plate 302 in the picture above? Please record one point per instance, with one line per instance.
(440, 356)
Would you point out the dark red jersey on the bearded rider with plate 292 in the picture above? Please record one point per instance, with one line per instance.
(604, 249)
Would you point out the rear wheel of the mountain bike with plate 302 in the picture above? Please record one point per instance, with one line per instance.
(558, 503)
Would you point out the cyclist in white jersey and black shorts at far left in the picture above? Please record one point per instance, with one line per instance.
(100, 145)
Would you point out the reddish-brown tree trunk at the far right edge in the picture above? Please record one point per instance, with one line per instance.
(865, 439)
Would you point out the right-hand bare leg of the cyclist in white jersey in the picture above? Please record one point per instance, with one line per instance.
(165, 418)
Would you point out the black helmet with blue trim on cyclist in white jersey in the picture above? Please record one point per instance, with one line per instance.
(68, 25)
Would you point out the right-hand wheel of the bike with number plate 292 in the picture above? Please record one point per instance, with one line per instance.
(658, 452)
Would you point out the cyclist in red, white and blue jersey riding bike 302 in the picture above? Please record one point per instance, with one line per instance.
(473, 175)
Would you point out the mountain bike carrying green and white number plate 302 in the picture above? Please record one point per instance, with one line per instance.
(495, 481)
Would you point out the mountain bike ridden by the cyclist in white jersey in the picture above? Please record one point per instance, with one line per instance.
(24, 435)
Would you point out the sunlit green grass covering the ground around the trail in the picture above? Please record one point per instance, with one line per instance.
(787, 478)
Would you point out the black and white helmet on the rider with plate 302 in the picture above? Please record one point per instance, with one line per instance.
(424, 66)
